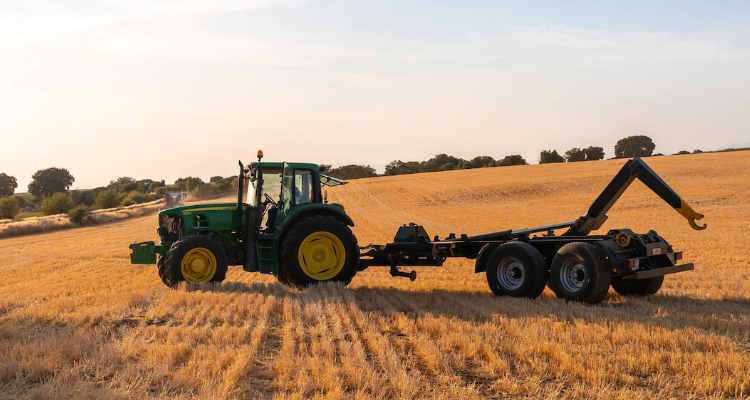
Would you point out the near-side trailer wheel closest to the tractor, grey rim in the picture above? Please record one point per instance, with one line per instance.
(516, 269)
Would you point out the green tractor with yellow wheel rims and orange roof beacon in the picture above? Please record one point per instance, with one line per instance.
(281, 224)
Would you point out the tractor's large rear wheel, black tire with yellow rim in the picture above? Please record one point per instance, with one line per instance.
(318, 249)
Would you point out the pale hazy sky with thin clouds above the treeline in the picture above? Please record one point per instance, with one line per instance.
(163, 89)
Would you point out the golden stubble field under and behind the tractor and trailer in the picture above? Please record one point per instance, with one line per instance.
(77, 320)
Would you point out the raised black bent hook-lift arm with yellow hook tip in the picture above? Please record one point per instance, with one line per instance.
(635, 168)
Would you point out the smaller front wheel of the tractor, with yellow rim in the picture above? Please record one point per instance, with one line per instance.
(197, 259)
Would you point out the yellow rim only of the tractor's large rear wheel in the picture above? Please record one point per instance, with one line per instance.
(322, 255)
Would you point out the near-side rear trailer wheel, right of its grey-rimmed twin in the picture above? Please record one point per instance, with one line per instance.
(580, 272)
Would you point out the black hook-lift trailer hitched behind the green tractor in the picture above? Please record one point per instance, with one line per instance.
(576, 265)
